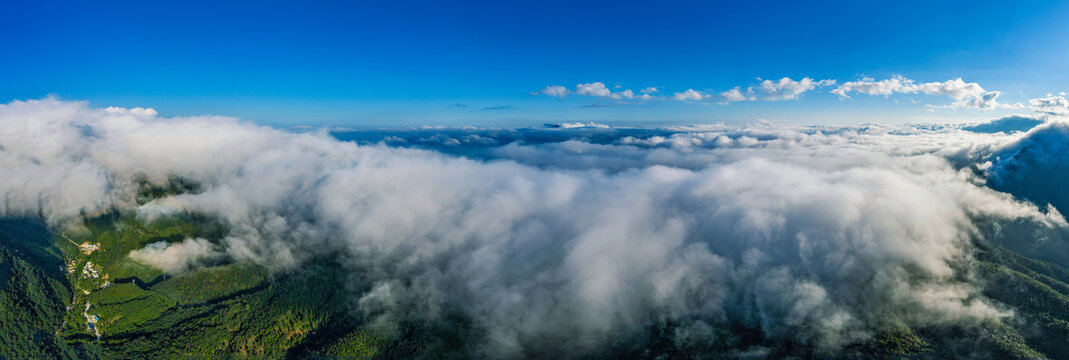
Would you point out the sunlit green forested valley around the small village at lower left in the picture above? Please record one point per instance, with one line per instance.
(228, 309)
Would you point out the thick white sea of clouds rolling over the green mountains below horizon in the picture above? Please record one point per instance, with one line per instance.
(572, 236)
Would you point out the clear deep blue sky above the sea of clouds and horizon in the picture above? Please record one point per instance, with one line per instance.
(401, 64)
